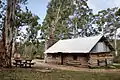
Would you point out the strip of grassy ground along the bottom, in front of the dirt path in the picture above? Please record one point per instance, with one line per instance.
(31, 74)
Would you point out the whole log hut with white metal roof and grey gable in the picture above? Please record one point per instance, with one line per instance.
(86, 51)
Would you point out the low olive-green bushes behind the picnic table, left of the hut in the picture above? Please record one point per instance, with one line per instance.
(32, 49)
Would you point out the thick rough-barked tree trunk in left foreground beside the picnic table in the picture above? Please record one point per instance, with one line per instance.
(9, 28)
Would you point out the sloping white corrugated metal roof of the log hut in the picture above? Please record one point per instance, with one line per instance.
(77, 45)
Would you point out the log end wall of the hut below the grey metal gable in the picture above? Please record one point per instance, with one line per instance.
(100, 59)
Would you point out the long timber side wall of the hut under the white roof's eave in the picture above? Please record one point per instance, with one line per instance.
(68, 59)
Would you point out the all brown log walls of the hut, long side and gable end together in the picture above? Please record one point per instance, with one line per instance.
(93, 60)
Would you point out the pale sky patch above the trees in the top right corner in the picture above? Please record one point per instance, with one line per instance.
(98, 5)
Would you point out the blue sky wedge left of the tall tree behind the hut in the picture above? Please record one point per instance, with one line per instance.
(38, 7)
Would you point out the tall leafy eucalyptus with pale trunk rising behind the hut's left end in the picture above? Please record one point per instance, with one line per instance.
(55, 25)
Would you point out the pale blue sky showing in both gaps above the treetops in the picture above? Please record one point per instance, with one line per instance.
(39, 7)
